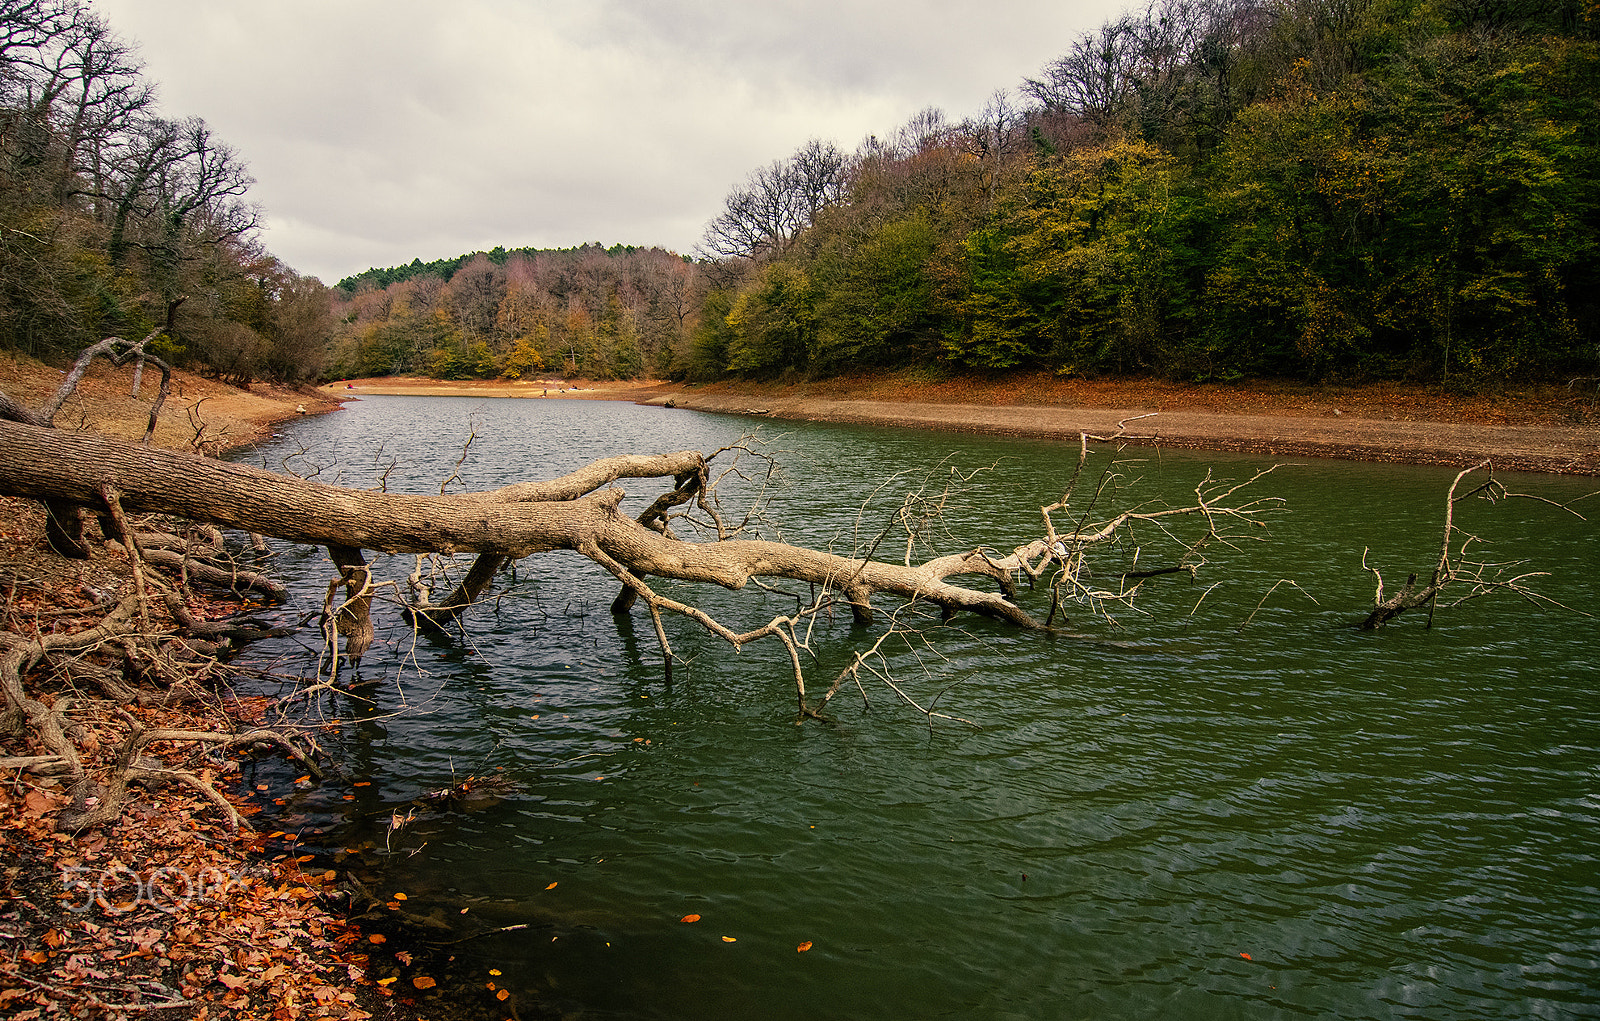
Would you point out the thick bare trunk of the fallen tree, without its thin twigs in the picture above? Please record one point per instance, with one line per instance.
(574, 513)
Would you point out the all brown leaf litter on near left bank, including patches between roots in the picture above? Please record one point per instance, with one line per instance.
(166, 915)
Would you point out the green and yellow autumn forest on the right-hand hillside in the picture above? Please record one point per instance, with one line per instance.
(1206, 190)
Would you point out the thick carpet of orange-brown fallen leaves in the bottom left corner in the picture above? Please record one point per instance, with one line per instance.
(164, 911)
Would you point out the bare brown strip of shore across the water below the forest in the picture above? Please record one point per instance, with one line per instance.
(1540, 430)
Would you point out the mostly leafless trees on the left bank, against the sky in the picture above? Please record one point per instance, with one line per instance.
(111, 214)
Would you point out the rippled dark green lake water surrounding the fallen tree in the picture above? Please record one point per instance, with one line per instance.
(1172, 817)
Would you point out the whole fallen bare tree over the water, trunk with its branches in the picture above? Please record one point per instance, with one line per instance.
(582, 513)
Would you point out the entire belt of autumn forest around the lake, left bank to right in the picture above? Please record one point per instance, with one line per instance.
(1201, 190)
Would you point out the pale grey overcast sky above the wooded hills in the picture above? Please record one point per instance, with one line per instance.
(388, 130)
